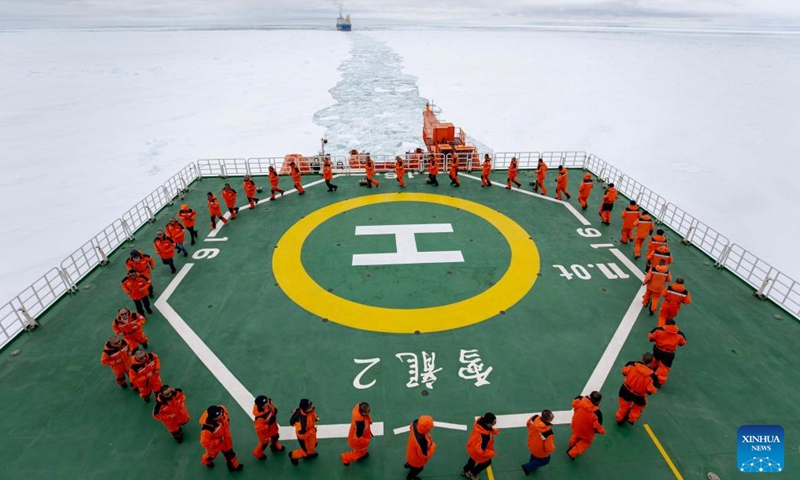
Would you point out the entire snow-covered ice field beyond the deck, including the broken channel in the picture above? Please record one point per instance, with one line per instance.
(93, 121)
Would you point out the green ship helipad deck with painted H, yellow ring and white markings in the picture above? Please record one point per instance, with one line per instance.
(301, 298)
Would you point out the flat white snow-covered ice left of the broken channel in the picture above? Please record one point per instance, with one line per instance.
(91, 122)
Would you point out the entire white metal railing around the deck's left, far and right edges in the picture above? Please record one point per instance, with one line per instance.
(21, 311)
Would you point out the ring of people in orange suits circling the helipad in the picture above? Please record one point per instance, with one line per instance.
(127, 355)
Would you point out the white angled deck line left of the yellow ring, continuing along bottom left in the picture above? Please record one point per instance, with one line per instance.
(226, 378)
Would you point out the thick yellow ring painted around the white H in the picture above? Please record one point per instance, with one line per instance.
(304, 291)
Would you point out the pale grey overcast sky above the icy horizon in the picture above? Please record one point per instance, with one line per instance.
(109, 13)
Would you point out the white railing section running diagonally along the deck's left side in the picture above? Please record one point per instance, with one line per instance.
(20, 313)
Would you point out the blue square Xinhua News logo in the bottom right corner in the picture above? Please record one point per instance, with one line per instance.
(760, 448)
